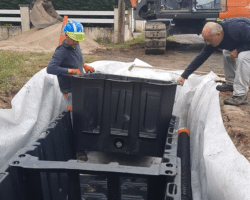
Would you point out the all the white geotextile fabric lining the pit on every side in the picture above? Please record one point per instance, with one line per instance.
(219, 171)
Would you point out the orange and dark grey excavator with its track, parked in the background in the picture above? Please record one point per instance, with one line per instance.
(172, 17)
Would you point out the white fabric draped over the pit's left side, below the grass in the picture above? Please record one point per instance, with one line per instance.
(33, 107)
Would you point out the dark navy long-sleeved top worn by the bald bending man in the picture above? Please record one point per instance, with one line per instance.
(236, 36)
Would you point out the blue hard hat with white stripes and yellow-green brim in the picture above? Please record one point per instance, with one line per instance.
(74, 30)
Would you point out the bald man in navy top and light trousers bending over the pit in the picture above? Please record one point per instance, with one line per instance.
(233, 36)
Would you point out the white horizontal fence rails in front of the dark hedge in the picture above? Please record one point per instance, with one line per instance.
(66, 12)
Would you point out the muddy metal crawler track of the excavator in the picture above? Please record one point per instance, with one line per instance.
(155, 38)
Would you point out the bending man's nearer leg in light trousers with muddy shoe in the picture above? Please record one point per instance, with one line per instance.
(241, 81)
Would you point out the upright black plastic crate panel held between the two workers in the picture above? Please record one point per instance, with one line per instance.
(122, 114)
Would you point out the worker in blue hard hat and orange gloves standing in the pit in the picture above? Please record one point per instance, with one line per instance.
(66, 60)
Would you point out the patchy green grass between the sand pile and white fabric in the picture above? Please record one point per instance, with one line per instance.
(16, 68)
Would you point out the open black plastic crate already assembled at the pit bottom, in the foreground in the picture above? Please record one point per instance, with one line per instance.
(46, 169)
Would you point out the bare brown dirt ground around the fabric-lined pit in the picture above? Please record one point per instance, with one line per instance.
(178, 55)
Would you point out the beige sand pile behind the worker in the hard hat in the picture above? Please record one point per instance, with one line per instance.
(43, 40)
